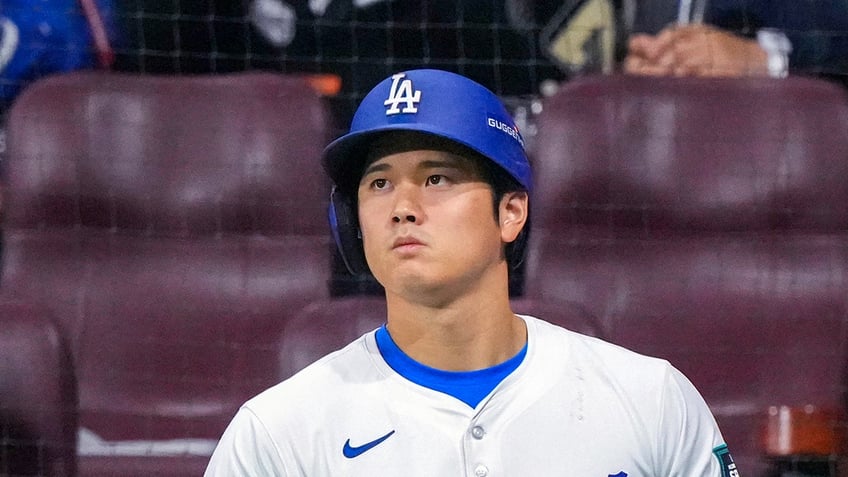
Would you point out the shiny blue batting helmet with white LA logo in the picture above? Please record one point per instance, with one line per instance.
(433, 102)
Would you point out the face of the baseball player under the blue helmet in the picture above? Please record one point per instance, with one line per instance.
(428, 223)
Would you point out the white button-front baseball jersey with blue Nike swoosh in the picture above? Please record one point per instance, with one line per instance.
(575, 406)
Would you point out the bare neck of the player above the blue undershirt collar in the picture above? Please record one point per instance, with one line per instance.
(473, 331)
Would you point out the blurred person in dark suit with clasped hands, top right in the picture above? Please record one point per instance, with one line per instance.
(732, 38)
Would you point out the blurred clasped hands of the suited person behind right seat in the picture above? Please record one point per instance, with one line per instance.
(695, 50)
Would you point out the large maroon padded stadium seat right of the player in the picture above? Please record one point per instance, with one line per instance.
(704, 221)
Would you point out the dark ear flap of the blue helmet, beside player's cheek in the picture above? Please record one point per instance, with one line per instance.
(344, 224)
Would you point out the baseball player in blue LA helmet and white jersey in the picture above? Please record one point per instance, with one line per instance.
(431, 195)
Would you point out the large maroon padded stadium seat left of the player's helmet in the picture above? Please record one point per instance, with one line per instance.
(169, 224)
